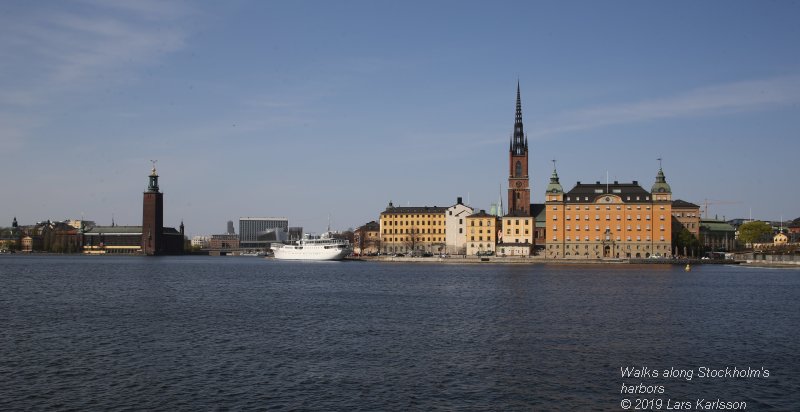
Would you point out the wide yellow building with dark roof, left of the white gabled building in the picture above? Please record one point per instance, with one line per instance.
(415, 230)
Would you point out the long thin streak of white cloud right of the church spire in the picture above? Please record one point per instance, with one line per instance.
(721, 99)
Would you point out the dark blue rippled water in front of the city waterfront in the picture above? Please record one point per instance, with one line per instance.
(191, 333)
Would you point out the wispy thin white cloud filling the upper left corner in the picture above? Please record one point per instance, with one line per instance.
(54, 51)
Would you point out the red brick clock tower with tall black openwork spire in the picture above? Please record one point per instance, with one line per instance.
(519, 193)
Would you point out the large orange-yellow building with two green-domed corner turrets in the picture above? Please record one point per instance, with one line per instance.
(611, 220)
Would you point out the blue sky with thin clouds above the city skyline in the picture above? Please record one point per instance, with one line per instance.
(311, 109)
